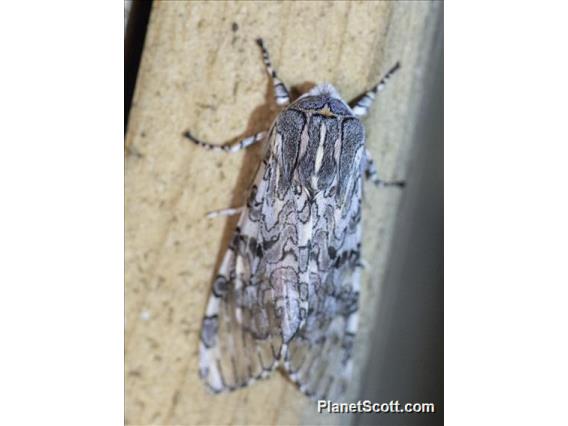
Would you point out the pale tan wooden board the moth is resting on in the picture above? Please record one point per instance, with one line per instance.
(201, 70)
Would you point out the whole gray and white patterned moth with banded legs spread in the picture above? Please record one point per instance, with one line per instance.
(286, 294)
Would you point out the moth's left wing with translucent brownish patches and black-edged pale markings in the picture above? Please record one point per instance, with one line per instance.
(244, 329)
